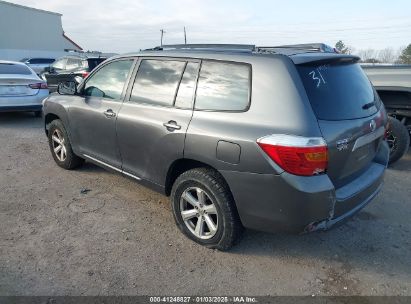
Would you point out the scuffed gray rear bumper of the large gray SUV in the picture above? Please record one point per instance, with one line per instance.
(302, 204)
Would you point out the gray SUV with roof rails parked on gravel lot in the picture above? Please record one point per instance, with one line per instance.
(267, 138)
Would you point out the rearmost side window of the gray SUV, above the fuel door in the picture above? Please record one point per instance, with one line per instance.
(223, 86)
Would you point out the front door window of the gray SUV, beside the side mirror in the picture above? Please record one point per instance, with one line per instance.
(109, 81)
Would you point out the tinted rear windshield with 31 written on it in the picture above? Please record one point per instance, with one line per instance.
(338, 91)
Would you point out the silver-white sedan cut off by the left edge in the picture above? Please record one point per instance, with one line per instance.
(20, 88)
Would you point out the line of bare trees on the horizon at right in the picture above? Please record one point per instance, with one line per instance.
(387, 55)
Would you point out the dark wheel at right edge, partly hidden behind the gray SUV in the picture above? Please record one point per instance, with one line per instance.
(398, 139)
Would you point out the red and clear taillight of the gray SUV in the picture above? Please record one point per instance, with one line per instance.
(297, 155)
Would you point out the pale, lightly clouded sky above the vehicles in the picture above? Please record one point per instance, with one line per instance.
(129, 25)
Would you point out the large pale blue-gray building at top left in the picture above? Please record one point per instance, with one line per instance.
(30, 32)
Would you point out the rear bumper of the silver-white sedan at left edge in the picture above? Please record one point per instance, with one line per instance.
(23, 103)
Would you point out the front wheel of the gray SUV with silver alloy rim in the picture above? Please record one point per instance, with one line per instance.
(58, 137)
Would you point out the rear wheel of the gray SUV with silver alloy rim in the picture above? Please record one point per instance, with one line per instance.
(215, 203)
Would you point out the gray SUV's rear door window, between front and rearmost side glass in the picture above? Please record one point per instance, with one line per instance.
(157, 81)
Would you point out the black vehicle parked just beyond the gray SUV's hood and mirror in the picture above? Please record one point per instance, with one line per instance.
(68, 67)
